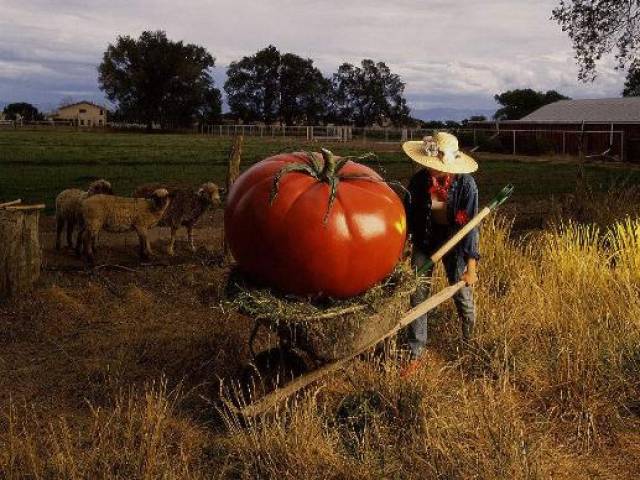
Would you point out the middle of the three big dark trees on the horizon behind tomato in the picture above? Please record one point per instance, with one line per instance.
(270, 86)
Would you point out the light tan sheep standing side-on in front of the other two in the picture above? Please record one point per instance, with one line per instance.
(120, 214)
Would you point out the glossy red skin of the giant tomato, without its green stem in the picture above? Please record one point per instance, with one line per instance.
(288, 245)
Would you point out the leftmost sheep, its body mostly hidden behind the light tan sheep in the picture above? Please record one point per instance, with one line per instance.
(68, 209)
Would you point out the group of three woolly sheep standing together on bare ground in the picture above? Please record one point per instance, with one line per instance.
(98, 209)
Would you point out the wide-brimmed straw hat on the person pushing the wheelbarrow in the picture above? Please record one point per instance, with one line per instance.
(440, 152)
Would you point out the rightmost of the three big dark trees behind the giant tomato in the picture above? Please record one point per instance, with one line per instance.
(369, 94)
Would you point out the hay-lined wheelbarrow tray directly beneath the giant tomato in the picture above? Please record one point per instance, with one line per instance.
(327, 329)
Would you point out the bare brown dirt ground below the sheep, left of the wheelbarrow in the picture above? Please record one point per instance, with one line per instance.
(84, 335)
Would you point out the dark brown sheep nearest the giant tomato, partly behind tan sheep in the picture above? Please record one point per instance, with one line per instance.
(187, 207)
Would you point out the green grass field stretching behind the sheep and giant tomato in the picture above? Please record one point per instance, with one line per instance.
(36, 165)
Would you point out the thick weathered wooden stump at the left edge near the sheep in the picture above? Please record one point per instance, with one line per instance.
(20, 255)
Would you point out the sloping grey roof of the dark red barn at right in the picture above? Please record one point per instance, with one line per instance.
(605, 110)
